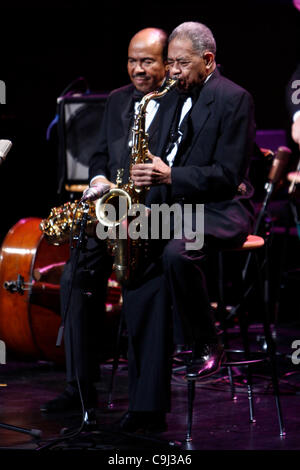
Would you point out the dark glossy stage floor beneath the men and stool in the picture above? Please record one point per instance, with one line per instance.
(219, 423)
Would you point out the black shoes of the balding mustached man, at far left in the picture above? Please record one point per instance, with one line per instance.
(68, 401)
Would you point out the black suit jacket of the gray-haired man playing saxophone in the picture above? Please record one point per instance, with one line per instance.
(215, 159)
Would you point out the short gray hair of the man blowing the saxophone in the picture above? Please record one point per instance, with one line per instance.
(200, 35)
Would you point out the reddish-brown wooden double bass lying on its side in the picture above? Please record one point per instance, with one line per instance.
(30, 271)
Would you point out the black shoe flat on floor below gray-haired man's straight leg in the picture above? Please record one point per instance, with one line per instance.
(151, 421)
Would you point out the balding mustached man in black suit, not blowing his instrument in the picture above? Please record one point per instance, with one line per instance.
(146, 68)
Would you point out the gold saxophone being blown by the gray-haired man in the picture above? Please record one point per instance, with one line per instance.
(128, 252)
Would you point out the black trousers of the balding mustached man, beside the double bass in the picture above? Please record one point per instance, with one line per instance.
(83, 291)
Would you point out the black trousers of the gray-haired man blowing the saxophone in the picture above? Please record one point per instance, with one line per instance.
(170, 305)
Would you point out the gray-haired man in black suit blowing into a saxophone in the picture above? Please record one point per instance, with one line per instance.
(207, 131)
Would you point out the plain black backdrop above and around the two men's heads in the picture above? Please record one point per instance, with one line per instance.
(45, 46)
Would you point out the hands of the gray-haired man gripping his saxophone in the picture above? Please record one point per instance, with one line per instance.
(151, 174)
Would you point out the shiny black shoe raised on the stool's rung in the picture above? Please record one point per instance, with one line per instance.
(206, 361)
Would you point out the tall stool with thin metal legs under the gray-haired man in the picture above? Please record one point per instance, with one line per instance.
(252, 247)
